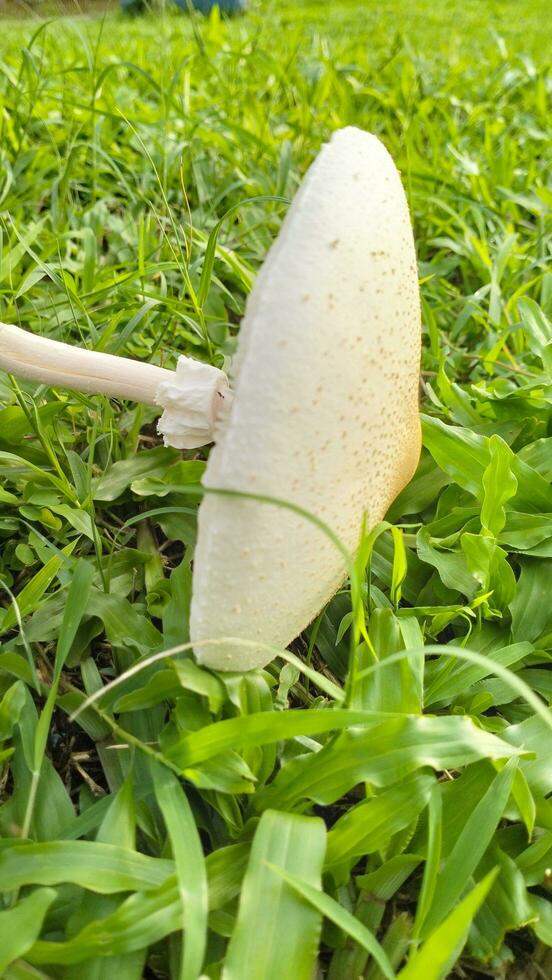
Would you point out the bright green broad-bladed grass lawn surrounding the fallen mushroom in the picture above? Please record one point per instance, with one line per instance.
(351, 835)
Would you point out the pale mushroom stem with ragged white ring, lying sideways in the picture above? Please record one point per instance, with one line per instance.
(194, 397)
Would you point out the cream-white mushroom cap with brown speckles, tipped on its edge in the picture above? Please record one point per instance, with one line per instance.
(325, 410)
